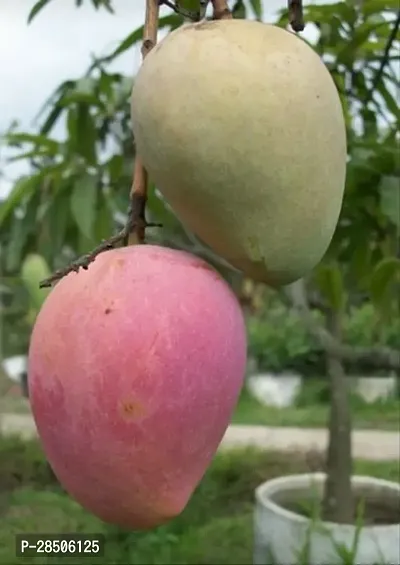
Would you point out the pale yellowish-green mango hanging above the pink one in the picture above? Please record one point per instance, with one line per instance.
(240, 126)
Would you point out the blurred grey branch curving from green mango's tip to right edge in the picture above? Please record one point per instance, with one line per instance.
(379, 357)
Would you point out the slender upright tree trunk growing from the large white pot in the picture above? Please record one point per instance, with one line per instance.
(338, 504)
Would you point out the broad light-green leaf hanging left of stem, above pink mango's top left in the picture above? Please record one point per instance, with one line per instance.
(83, 204)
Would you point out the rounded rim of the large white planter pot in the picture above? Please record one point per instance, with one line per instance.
(264, 491)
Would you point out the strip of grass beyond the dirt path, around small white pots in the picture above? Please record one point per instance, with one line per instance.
(312, 410)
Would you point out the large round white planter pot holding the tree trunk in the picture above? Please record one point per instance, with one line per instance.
(281, 533)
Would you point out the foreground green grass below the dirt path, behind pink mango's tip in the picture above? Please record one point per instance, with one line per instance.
(215, 528)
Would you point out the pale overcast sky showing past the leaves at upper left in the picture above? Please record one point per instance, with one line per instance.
(57, 45)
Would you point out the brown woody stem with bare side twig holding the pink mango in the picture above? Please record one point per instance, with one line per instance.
(134, 229)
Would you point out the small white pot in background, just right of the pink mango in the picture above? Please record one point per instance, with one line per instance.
(275, 390)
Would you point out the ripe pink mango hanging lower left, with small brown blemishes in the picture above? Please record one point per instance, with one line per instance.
(135, 367)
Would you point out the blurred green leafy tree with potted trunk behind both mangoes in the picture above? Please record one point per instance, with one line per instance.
(76, 193)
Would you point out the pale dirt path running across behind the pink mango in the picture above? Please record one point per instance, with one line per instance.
(367, 444)
